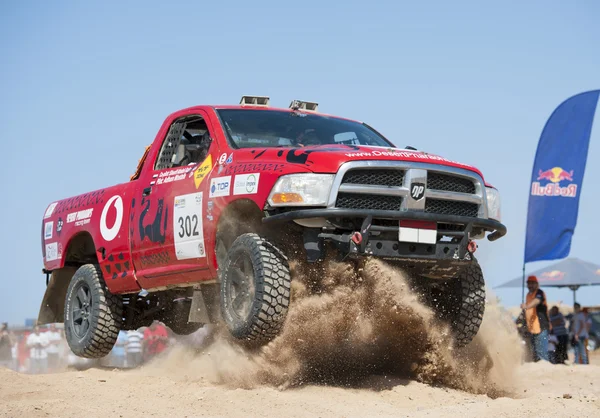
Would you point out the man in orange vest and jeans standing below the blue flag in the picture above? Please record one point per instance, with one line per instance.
(536, 313)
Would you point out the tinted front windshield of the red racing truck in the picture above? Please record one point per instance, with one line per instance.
(249, 128)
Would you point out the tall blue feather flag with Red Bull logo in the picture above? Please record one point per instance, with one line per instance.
(557, 177)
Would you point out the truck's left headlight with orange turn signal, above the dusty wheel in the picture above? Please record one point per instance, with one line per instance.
(301, 190)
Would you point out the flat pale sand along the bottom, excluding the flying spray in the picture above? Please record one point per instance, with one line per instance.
(540, 390)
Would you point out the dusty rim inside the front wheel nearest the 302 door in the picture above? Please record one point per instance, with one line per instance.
(241, 286)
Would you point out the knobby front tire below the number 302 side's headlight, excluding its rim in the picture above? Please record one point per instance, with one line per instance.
(271, 278)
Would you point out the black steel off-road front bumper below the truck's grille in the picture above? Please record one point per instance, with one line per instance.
(377, 240)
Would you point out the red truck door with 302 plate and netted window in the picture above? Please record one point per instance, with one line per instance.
(167, 231)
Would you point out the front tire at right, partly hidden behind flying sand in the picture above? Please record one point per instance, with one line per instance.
(461, 303)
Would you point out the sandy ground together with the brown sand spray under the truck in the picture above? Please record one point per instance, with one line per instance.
(361, 345)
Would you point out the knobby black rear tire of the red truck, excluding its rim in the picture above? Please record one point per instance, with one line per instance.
(105, 314)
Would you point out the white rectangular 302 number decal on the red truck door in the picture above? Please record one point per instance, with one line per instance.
(187, 226)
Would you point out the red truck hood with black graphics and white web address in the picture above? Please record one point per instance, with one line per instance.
(329, 158)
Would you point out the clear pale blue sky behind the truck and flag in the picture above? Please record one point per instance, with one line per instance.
(84, 87)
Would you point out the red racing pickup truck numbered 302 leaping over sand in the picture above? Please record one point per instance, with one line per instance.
(225, 197)
